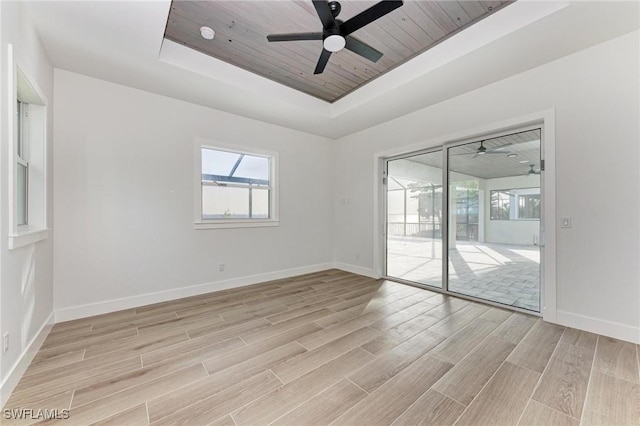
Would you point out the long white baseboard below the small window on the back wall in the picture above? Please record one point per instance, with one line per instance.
(83, 311)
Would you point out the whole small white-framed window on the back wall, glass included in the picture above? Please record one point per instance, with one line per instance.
(236, 188)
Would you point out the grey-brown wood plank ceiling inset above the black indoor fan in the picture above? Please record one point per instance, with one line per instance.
(241, 28)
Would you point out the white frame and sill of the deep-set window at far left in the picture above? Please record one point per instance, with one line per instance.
(33, 154)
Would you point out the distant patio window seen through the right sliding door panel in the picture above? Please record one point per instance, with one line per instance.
(515, 204)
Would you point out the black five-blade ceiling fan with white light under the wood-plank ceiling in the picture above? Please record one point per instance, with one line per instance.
(336, 34)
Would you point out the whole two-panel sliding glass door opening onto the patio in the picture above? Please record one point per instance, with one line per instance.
(488, 230)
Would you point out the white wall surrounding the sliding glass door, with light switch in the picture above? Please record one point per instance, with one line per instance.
(595, 94)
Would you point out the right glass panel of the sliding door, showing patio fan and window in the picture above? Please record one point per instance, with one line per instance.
(494, 219)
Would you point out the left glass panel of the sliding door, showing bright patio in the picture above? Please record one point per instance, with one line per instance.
(414, 218)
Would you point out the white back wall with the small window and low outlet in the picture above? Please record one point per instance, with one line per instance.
(124, 200)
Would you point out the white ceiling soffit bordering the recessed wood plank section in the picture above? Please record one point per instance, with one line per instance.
(121, 41)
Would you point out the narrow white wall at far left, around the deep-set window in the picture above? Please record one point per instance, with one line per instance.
(26, 294)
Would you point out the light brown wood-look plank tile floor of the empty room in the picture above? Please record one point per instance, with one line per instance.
(329, 348)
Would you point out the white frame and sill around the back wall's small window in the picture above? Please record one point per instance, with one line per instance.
(200, 222)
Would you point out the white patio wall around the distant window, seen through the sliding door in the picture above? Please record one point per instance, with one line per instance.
(509, 231)
